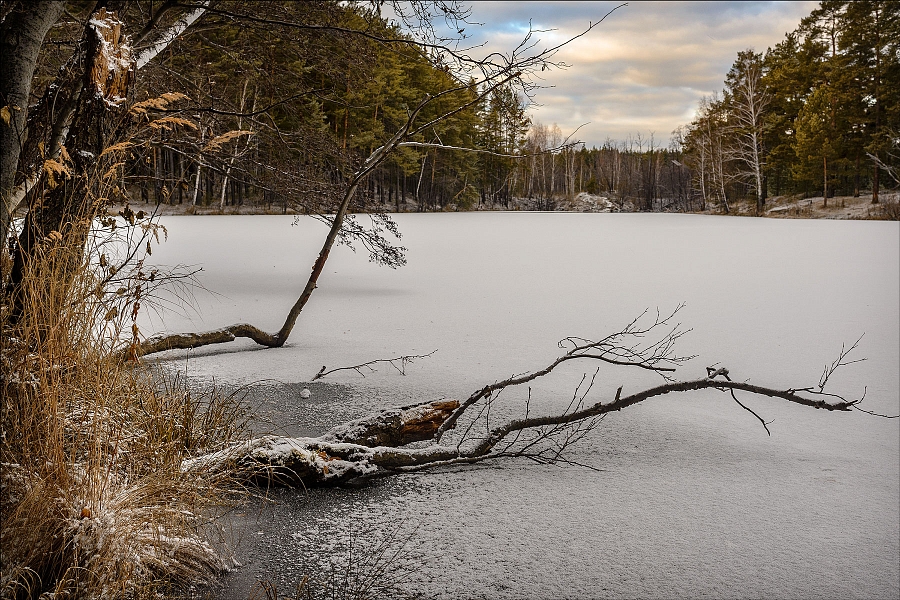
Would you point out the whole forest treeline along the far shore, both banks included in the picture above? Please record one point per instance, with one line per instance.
(818, 114)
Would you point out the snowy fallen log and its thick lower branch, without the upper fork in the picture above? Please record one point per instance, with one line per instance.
(374, 446)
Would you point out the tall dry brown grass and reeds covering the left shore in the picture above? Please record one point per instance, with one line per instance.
(93, 500)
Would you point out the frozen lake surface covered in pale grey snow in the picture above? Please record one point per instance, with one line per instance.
(691, 498)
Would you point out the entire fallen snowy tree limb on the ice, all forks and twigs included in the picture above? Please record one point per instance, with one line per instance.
(409, 438)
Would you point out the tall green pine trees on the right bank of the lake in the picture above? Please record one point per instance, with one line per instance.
(834, 110)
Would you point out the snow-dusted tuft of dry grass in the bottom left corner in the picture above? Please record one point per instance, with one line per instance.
(115, 534)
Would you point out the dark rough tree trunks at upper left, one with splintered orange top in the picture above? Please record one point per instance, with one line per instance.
(79, 112)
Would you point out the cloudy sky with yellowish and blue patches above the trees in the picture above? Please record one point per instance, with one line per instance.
(645, 67)
